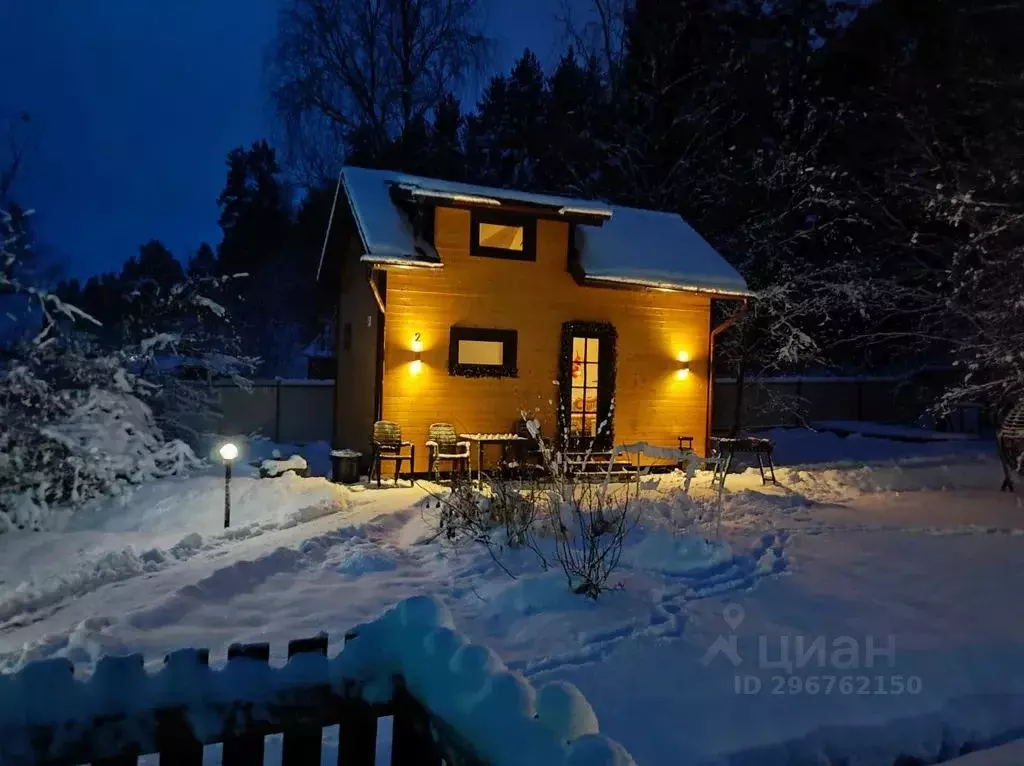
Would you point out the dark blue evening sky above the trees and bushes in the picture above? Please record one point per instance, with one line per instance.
(137, 103)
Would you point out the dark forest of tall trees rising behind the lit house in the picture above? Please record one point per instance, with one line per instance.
(861, 164)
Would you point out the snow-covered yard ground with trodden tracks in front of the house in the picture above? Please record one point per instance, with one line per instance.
(904, 554)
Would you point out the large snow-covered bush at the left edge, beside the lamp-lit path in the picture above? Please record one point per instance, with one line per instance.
(74, 419)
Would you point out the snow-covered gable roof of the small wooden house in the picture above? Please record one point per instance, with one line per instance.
(616, 245)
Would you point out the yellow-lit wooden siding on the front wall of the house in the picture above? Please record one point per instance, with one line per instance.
(653, 403)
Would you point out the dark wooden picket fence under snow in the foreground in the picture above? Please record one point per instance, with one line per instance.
(300, 713)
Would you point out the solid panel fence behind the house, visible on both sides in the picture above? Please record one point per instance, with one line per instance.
(303, 411)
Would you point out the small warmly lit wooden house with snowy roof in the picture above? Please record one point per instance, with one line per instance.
(472, 306)
